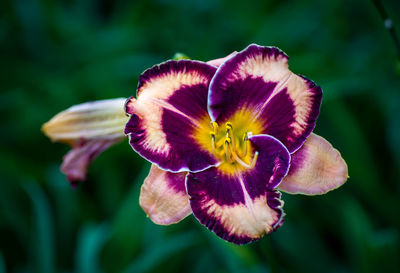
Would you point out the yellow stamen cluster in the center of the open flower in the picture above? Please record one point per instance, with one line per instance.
(232, 148)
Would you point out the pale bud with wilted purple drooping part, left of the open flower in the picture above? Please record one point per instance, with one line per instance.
(90, 128)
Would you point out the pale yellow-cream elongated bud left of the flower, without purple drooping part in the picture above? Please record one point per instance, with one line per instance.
(90, 120)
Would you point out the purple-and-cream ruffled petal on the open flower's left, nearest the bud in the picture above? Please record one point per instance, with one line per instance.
(171, 105)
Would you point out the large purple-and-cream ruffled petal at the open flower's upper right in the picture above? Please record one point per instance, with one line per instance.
(258, 80)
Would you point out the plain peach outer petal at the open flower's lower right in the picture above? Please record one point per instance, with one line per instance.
(316, 168)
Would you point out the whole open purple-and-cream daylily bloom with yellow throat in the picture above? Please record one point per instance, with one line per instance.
(224, 137)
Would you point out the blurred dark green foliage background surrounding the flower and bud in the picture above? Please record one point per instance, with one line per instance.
(58, 53)
